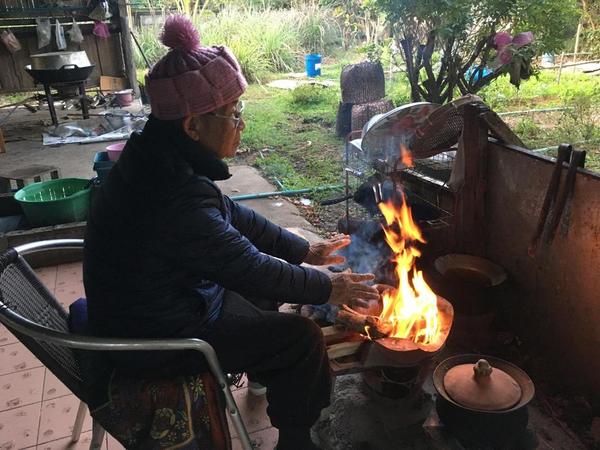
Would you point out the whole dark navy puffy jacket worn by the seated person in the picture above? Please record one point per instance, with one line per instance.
(162, 243)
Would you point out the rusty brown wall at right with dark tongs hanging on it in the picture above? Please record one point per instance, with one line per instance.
(558, 305)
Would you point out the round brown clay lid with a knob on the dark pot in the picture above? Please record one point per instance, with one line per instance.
(482, 387)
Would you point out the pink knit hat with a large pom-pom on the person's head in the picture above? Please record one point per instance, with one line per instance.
(191, 79)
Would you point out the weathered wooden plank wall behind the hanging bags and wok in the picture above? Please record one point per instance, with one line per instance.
(105, 54)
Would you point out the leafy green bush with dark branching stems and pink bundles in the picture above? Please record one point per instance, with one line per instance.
(463, 33)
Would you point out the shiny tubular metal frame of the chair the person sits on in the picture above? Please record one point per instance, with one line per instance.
(17, 323)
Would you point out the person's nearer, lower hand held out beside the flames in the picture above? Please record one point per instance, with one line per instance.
(349, 289)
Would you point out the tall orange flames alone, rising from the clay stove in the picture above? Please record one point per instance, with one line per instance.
(412, 308)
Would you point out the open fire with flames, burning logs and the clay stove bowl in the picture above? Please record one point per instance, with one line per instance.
(412, 318)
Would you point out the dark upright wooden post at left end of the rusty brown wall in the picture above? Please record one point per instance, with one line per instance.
(470, 200)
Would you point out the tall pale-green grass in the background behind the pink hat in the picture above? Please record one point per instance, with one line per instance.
(262, 40)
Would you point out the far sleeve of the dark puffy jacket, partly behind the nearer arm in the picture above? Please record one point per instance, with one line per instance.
(265, 235)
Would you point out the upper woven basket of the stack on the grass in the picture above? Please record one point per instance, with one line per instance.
(362, 83)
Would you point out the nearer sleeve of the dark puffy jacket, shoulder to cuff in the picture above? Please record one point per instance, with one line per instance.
(211, 248)
